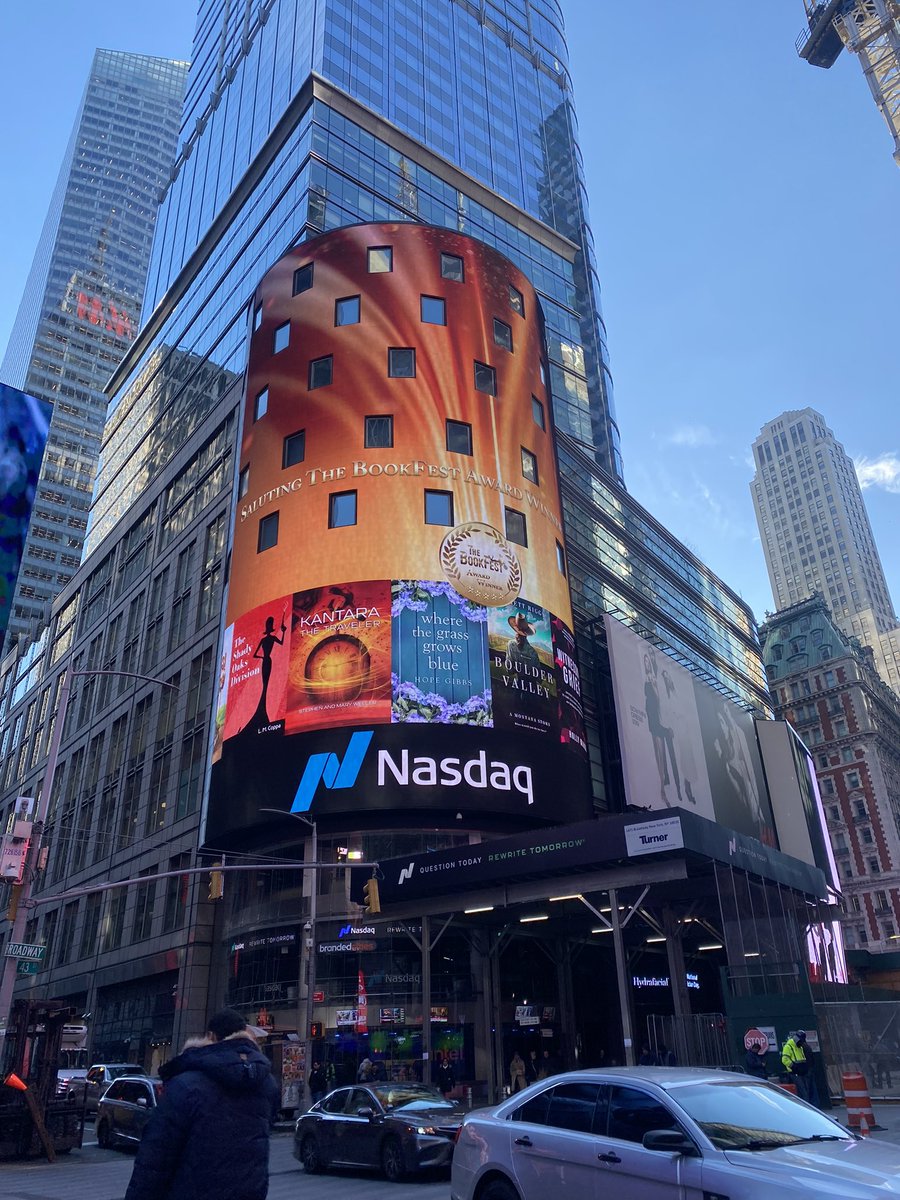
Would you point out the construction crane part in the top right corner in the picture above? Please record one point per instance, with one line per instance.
(871, 29)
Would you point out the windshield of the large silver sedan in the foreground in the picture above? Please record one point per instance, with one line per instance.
(753, 1117)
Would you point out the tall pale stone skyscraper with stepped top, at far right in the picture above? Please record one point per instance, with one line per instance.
(817, 535)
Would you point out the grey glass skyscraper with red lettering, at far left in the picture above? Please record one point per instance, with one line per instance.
(85, 295)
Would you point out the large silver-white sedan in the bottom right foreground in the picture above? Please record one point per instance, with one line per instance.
(655, 1133)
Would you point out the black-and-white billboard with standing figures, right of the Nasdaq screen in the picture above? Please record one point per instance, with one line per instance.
(685, 746)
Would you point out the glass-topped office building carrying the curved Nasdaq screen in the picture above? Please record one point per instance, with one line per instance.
(370, 193)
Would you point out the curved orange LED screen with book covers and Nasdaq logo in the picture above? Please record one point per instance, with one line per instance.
(399, 626)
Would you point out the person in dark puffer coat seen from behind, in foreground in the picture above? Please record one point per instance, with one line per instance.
(209, 1138)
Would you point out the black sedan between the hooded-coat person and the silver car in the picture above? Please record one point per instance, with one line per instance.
(398, 1127)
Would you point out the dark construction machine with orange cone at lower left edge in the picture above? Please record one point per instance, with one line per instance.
(34, 1120)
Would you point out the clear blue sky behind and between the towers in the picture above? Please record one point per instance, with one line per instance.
(745, 209)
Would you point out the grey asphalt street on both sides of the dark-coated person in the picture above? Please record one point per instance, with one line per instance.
(105, 1174)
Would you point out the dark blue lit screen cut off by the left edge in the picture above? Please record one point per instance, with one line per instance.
(25, 424)
